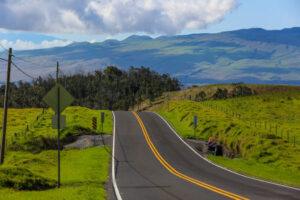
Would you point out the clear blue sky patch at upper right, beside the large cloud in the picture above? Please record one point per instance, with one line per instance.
(268, 14)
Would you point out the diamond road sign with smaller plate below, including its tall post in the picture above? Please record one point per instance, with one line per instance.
(58, 98)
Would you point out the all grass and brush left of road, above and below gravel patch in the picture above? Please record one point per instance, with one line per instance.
(30, 168)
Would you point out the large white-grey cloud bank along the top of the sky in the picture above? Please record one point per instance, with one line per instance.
(112, 16)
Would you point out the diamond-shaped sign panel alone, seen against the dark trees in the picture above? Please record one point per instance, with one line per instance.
(65, 98)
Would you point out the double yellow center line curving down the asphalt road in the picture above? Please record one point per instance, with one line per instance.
(179, 174)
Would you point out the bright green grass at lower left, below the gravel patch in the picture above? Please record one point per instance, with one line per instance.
(83, 174)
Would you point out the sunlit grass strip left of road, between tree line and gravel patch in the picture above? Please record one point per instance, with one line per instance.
(40, 123)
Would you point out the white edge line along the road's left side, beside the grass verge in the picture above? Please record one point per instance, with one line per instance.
(113, 172)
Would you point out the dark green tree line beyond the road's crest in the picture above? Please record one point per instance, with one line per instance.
(111, 88)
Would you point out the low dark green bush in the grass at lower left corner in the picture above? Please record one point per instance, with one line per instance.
(23, 179)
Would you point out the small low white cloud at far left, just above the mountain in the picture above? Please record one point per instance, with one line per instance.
(26, 45)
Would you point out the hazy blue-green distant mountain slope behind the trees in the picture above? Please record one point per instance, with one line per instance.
(249, 55)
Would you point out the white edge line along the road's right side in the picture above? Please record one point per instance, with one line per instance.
(193, 150)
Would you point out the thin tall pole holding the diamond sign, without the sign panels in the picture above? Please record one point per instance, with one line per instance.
(58, 127)
